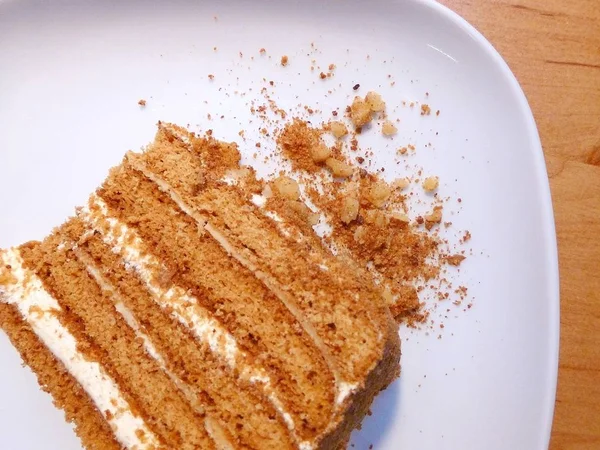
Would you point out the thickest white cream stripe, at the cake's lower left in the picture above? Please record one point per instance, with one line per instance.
(38, 308)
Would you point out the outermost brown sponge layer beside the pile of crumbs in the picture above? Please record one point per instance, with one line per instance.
(327, 296)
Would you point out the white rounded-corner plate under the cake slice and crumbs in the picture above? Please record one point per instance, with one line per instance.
(71, 73)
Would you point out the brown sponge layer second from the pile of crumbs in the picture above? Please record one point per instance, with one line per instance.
(261, 325)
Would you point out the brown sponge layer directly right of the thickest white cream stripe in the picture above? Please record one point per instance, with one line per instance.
(95, 320)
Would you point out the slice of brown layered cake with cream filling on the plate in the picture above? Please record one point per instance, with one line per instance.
(172, 312)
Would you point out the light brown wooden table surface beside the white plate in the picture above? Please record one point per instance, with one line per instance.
(553, 47)
